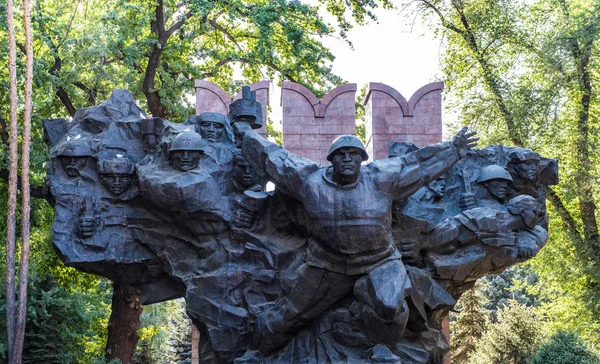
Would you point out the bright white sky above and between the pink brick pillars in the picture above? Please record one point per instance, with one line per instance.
(396, 50)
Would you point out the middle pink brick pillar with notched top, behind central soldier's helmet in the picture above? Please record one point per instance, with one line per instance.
(310, 125)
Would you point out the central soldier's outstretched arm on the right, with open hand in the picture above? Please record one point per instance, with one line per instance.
(404, 175)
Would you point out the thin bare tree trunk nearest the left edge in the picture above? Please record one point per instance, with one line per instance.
(12, 184)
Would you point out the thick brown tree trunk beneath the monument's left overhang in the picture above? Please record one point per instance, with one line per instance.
(124, 323)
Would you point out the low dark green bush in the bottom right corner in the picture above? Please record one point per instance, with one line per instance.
(565, 348)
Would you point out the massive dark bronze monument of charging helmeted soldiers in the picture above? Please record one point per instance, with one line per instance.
(349, 262)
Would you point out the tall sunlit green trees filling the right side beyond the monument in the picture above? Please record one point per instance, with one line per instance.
(524, 73)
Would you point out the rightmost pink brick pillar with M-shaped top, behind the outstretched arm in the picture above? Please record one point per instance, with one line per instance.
(391, 118)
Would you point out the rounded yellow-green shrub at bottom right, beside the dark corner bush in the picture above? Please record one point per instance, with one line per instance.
(512, 340)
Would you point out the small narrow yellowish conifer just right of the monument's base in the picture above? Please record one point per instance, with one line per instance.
(468, 326)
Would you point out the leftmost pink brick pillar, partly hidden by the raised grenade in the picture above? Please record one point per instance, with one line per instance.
(212, 98)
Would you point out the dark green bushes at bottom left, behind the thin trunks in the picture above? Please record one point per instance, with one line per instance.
(63, 326)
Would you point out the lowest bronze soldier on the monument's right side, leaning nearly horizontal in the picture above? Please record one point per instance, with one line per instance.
(483, 240)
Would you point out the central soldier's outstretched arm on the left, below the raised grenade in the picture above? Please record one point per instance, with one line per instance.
(287, 170)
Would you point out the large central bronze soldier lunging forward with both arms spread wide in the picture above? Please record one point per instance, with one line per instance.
(348, 209)
